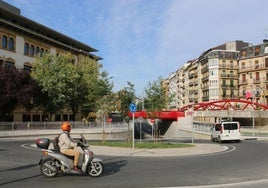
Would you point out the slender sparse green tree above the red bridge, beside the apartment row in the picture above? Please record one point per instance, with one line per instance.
(156, 98)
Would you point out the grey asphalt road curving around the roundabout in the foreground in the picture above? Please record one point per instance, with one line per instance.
(247, 163)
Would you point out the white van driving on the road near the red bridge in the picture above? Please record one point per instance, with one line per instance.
(226, 131)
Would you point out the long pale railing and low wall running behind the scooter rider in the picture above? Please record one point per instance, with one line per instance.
(50, 129)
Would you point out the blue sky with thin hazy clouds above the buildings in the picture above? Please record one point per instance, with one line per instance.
(141, 41)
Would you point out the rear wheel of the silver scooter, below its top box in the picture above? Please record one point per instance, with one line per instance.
(49, 168)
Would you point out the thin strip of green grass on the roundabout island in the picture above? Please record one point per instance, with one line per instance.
(140, 145)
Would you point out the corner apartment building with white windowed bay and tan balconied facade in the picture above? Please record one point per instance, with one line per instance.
(220, 75)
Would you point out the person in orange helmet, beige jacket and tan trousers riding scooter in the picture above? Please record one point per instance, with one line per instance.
(67, 145)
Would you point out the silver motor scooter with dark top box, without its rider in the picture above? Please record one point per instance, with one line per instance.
(53, 162)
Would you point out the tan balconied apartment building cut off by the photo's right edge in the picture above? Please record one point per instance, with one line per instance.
(253, 73)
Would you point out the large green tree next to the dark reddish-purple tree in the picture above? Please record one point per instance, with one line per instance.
(50, 73)
